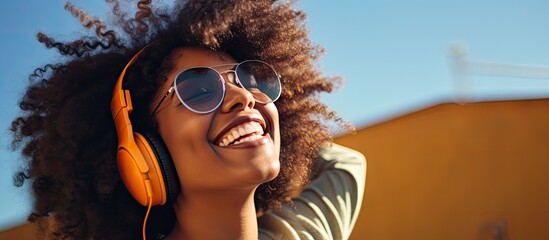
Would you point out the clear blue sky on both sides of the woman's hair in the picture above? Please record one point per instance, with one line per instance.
(393, 56)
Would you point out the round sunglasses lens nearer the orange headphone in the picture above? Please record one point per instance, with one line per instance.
(200, 89)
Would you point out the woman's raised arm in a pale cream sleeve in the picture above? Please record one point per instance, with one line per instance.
(328, 207)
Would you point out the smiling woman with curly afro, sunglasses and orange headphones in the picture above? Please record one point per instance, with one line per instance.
(217, 123)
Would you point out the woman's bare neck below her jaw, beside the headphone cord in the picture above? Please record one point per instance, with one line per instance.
(215, 215)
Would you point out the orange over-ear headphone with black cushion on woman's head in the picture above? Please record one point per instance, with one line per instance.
(144, 163)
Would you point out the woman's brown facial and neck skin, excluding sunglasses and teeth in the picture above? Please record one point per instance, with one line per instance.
(217, 183)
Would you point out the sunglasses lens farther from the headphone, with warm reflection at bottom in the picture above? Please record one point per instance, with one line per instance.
(260, 79)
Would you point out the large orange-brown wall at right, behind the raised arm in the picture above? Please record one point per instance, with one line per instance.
(457, 172)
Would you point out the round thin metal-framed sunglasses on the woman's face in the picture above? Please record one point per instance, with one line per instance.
(202, 89)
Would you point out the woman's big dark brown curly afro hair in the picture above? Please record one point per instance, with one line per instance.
(67, 135)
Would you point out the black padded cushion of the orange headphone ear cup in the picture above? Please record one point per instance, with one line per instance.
(164, 160)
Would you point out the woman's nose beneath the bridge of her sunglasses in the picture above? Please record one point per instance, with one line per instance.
(236, 98)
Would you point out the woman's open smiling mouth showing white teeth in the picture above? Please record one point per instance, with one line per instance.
(248, 131)
